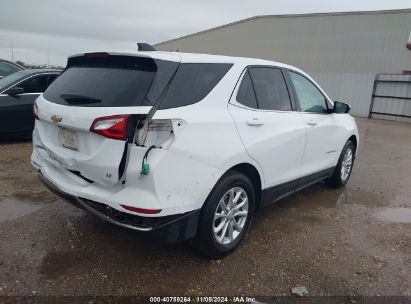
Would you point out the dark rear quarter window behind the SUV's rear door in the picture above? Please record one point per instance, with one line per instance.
(192, 83)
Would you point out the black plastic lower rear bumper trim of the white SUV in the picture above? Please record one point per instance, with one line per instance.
(170, 229)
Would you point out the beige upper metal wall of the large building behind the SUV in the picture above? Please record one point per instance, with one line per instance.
(358, 42)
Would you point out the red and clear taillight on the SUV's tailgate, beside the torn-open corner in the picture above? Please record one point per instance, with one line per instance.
(114, 127)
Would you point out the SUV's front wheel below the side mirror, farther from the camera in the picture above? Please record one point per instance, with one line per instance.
(344, 167)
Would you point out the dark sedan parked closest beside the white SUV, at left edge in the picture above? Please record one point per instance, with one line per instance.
(17, 94)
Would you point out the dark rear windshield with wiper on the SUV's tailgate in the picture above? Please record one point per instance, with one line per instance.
(104, 83)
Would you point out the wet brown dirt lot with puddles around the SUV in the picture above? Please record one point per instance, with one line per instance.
(352, 241)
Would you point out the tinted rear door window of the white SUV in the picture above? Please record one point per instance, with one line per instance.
(270, 89)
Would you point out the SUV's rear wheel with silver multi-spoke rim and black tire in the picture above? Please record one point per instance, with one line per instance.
(226, 216)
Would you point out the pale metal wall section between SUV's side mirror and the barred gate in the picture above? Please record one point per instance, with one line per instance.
(354, 89)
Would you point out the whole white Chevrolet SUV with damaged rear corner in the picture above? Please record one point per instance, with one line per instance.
(187, 146)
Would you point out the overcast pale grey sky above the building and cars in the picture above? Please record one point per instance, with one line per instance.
(48, 31)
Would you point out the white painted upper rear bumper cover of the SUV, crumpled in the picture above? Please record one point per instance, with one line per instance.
(177, 183)
